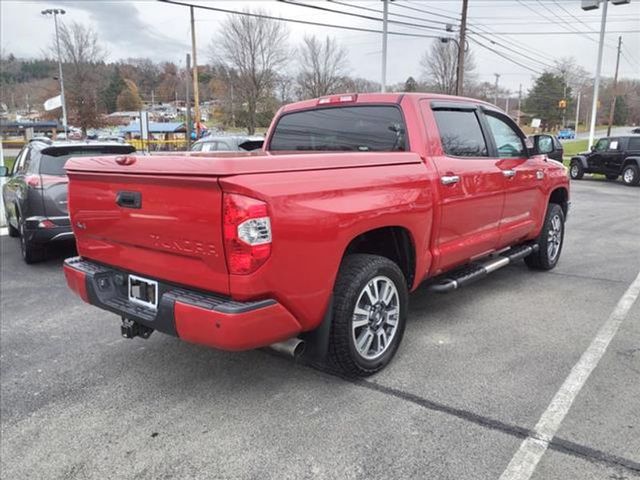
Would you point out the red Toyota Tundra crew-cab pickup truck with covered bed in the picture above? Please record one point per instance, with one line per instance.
(317, 240)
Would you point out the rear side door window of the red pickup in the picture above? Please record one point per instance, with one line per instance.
(460, 133)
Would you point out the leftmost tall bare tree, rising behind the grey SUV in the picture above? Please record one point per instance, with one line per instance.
(81, 53)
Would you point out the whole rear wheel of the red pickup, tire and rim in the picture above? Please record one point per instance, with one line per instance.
(369, 314)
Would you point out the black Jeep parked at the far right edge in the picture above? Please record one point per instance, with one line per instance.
(611, 156)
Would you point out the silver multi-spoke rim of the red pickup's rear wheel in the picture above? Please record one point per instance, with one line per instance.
(375, 319)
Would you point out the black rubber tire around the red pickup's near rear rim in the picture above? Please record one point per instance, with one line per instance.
(356, 272)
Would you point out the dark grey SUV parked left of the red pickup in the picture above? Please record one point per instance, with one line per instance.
(35, 195)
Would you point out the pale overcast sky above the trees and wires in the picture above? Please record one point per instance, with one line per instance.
(161, 31)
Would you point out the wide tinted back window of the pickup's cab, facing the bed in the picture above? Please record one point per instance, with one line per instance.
(363, 128)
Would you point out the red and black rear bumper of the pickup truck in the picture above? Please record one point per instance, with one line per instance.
(206, 319)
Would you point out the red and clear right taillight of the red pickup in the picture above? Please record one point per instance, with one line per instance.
(247, 233)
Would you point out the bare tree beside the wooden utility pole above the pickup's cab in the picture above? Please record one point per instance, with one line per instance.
(439, 67)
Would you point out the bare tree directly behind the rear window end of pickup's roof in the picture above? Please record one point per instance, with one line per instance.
(323, 64)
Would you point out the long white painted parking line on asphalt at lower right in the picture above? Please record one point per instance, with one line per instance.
(524, 462)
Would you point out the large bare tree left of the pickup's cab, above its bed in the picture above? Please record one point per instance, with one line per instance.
(256, 48)
